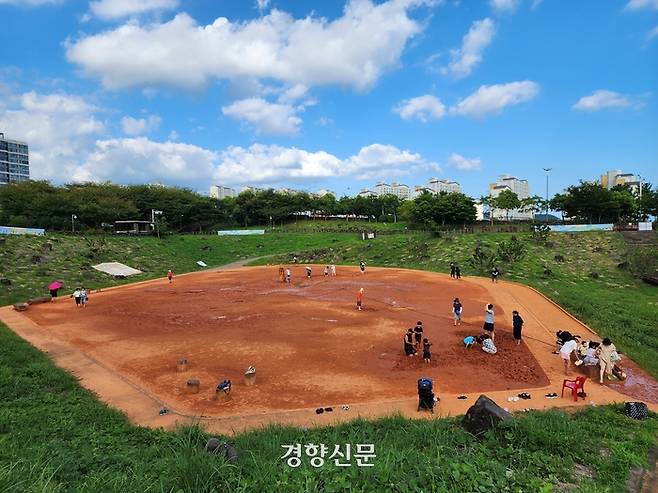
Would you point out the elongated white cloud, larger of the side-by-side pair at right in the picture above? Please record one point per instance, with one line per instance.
(491, 100)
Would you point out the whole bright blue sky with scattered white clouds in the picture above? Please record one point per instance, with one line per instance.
(331, 94)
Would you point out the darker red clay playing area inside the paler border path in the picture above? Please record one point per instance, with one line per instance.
(309, 344)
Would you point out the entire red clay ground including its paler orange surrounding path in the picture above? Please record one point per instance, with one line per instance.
(310, 345)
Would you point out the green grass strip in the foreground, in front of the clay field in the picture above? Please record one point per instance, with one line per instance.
(56, 437)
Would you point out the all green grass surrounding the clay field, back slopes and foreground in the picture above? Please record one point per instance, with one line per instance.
(56, 437)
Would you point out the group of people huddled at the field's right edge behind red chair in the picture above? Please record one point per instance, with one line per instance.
(589, 353)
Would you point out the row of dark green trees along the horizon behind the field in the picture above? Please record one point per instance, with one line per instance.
(40, 204)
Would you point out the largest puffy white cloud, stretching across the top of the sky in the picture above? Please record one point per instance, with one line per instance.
(353, 50)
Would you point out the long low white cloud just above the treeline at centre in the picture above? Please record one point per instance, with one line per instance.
(273, 164)
